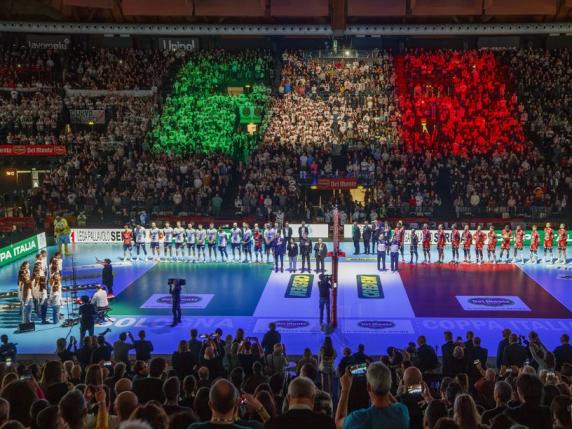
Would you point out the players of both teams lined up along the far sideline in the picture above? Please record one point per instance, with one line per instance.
(377, 237)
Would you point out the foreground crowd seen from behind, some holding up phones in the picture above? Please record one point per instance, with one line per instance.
(237, 381)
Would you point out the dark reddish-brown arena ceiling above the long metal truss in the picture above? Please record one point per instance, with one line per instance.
(338, 13)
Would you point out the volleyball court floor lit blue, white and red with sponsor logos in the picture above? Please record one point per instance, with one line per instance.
(376, 308)
